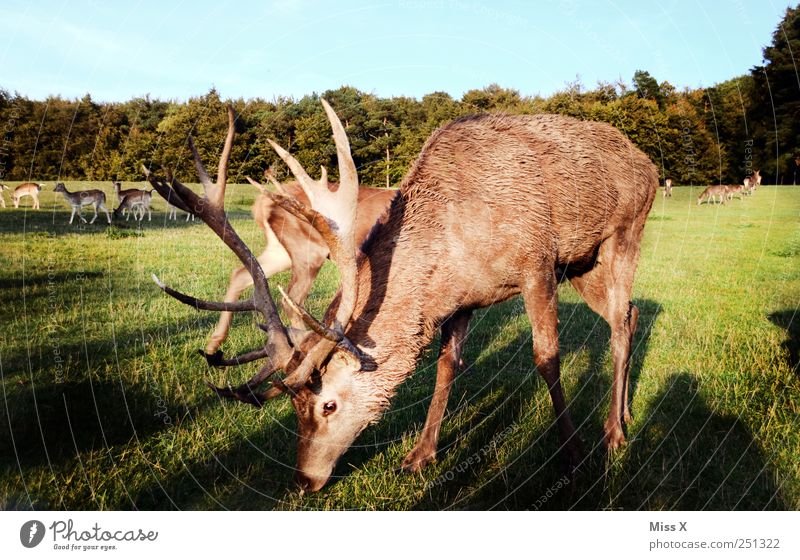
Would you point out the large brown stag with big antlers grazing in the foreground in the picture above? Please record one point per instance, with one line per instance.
(494, 206)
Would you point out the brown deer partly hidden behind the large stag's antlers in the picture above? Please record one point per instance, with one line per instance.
(295, 244)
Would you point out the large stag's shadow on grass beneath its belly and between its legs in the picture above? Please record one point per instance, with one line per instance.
(531, 466)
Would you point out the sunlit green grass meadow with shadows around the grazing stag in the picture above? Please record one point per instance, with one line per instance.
(104, 402)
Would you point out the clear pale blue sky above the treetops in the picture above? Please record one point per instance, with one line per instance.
(117, 50)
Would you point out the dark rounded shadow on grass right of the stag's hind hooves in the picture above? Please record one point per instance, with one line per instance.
(687, 457)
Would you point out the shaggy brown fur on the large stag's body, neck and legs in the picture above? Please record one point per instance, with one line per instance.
(495, 206)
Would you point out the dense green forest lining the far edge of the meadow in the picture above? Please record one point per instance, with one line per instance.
(695, 136)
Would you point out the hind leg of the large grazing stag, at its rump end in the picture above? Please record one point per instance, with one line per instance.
(606, 288)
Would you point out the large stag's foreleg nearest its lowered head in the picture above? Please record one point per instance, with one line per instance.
(454, 332)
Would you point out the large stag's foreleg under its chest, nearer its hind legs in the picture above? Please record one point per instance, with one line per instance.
(541, 304)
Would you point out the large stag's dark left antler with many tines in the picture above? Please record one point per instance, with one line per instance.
(210, 209)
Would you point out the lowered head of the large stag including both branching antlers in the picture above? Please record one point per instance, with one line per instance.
(325, 372)
